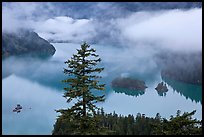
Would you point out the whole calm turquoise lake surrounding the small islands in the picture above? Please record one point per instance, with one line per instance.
(35, 84)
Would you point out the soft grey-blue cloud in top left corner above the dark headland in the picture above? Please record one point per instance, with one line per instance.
(25, 15)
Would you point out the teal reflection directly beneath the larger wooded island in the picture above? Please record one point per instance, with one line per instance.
(129, 92)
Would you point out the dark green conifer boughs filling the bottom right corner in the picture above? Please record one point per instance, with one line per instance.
(179, 125)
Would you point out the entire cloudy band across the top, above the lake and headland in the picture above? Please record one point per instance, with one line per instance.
(176, 29)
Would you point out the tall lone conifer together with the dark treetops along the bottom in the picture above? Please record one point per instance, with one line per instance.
(85, 118)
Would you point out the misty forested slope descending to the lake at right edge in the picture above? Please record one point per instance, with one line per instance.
(185, 67)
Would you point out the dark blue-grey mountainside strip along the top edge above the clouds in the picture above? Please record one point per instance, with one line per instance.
(82, 9)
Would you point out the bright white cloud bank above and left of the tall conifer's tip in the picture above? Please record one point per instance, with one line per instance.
(65, 28)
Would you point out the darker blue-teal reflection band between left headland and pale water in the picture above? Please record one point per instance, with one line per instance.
(43, 71)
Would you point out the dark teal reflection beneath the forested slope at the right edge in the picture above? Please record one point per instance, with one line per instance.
(194, 92)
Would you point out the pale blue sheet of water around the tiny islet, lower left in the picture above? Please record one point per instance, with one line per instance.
(39, 119)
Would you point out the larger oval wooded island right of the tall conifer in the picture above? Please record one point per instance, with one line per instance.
(131, 84)
